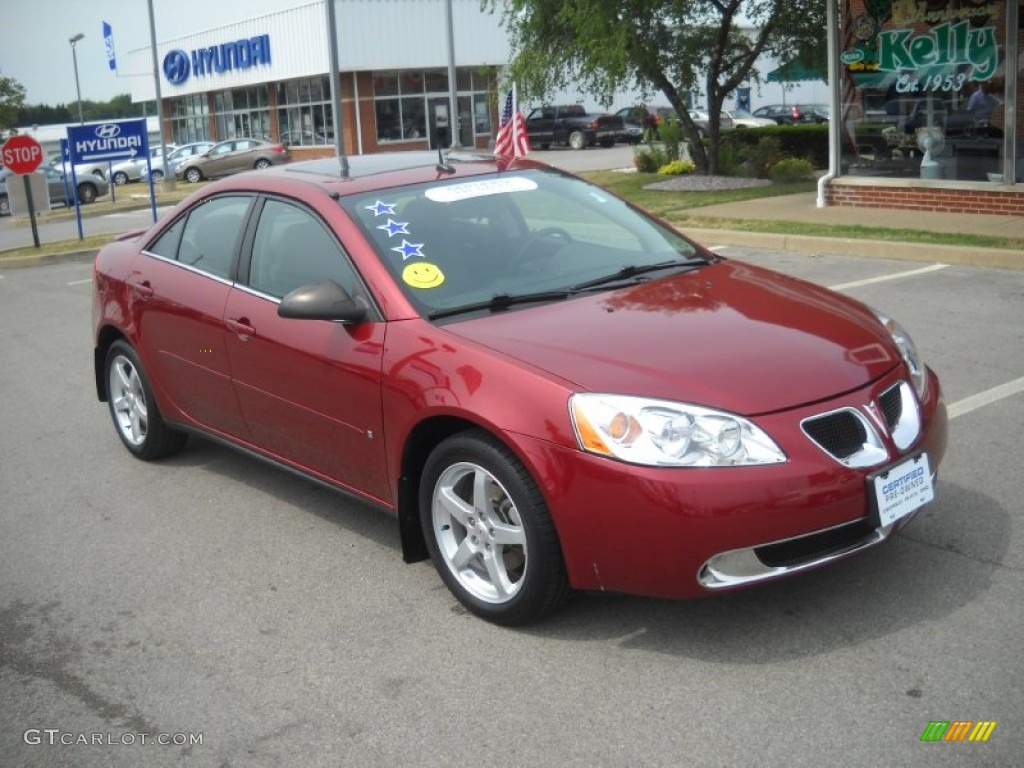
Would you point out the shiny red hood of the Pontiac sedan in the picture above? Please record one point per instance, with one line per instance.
(730, 336)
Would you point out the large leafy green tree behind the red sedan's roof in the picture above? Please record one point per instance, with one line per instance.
(672, 48)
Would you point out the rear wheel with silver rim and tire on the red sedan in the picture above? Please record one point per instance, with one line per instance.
(134, 409)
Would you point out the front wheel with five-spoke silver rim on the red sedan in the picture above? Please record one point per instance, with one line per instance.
(514, 577)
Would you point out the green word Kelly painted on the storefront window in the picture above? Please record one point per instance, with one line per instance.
(947, 46)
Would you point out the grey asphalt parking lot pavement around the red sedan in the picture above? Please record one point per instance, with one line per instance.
(210, 600)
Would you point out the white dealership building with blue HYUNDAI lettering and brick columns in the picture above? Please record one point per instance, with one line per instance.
(269, 77)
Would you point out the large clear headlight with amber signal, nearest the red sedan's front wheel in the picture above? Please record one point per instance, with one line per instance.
(666, 434)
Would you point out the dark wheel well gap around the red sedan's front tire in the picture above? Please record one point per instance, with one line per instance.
(420, 443)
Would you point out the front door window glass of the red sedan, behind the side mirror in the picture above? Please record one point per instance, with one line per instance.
(293, 248)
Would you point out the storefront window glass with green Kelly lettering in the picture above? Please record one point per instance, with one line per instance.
(923, 90)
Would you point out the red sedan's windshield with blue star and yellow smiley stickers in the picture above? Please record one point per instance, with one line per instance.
(461, 243)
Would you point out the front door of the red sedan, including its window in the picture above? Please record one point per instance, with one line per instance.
(310, 391)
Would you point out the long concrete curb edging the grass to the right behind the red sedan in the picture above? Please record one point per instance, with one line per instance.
(882, 249)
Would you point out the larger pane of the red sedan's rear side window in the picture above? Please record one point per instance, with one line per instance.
(211, 235)
